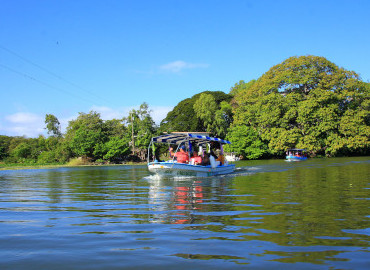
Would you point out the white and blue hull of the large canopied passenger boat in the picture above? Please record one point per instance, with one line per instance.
(173, 169)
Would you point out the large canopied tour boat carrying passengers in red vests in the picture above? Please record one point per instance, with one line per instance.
(172, 168)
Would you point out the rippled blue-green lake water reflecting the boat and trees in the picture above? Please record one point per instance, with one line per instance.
(268, 214)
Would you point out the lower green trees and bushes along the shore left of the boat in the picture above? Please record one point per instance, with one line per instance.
(88, 137)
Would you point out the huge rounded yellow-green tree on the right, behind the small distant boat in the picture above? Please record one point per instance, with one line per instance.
(307, 102)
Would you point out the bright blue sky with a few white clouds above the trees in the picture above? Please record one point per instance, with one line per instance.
(65, 57)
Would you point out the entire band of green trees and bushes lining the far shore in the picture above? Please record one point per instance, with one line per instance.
(305, 102)
